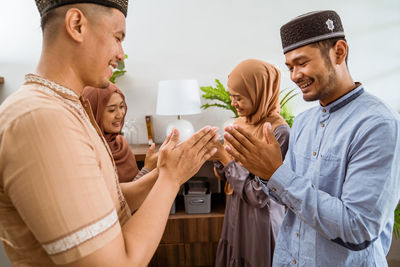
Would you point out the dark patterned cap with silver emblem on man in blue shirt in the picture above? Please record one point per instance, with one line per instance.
(310, 28)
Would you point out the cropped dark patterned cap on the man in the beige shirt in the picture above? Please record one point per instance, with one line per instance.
(46, 5)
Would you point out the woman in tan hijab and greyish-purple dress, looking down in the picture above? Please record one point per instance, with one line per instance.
(252, 219)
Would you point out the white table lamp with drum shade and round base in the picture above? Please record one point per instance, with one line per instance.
(177, 98)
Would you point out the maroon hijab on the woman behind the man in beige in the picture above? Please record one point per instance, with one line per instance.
(123, 156)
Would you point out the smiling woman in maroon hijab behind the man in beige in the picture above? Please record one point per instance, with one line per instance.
(109, 109)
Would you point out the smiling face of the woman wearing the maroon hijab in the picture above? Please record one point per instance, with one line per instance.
(113, 114)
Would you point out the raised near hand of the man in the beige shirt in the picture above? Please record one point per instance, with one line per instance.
(182, 161)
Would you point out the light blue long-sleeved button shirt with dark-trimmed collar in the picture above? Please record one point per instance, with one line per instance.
(340, 181)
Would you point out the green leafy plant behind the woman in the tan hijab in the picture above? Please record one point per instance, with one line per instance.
(220, 94)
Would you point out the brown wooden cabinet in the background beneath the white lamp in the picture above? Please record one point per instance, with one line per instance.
(189, 240)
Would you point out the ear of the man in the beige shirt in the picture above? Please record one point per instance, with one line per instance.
(76, 24)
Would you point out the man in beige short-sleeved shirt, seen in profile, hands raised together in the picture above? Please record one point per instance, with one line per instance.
(60, 200)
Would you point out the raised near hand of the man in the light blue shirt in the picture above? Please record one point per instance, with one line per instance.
(260, 157)
